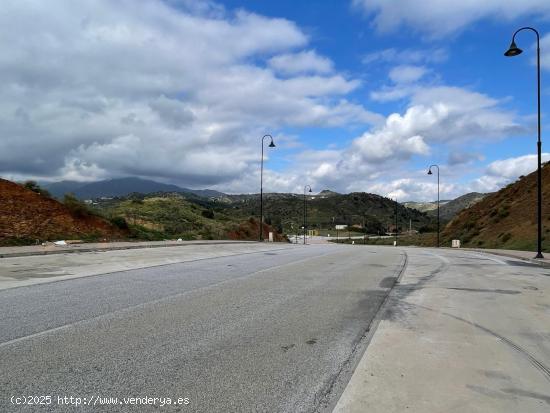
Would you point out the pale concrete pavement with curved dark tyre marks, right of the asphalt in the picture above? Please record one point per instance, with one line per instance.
(461, 332)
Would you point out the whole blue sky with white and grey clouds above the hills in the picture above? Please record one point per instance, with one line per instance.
(359, 95)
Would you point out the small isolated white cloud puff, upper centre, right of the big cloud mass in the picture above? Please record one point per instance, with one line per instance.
(302, 62)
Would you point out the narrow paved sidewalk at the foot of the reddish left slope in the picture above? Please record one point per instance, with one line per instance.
(51, 248)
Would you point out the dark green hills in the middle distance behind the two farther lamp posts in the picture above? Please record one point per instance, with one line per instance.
(326, 210)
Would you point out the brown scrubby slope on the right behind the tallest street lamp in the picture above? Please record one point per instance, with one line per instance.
(505, 219)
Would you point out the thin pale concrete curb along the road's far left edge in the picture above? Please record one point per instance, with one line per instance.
(62, 250)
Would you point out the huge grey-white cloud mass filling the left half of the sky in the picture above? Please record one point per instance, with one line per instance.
(178, 91)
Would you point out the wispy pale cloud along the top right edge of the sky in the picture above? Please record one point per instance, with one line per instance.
(445, 17)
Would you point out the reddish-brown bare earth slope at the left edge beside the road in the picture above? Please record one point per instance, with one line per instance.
(26, 216)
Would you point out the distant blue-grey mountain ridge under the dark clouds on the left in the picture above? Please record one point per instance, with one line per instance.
(120, 187)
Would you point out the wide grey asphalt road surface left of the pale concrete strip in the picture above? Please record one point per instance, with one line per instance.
(272, 331)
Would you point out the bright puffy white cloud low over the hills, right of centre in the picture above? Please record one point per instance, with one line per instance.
(439, 116)
